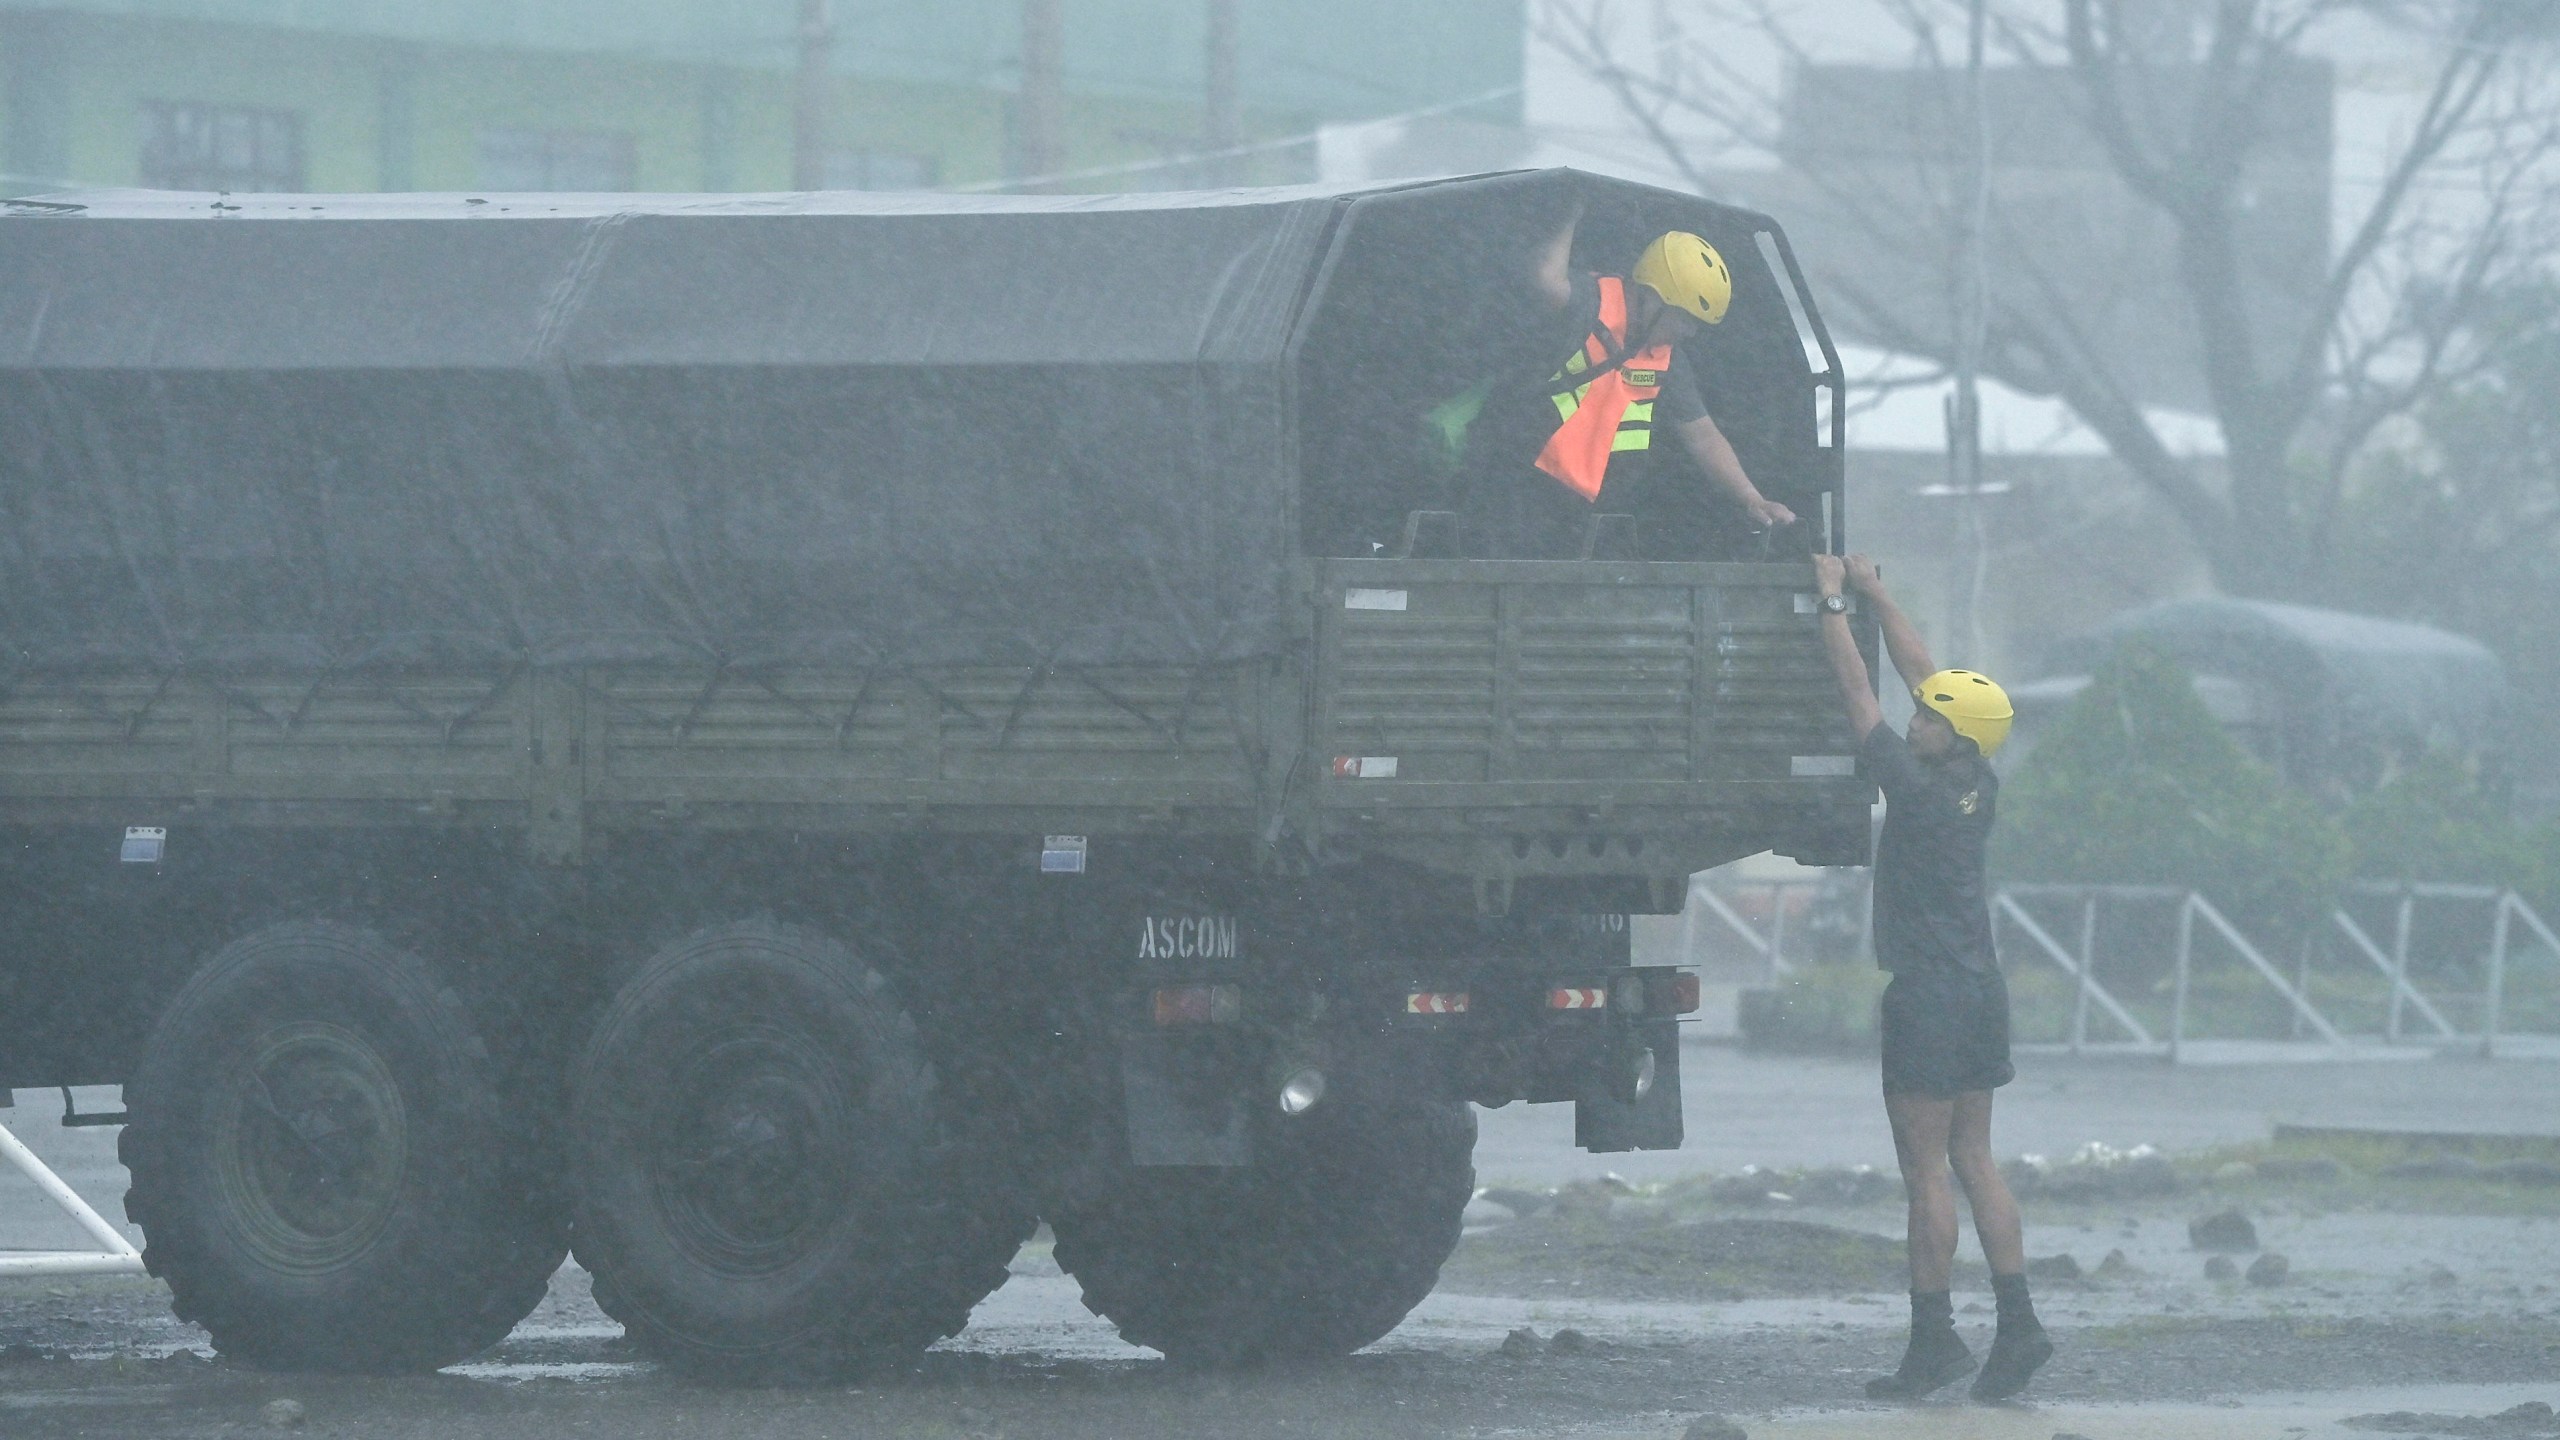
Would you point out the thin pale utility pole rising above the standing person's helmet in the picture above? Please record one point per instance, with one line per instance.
(1972, 322)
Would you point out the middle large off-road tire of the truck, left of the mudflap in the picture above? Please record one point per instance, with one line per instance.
(764, 1188)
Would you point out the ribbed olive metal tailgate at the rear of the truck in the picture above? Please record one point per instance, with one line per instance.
(1586, 701)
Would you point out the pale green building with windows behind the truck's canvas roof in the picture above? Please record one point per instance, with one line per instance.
(718, 94)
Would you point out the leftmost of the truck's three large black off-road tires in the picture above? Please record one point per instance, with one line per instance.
(324, 1165)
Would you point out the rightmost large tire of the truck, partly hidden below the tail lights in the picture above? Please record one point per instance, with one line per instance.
(1309, 1254)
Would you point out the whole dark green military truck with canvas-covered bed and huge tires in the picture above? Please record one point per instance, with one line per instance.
(780, 742)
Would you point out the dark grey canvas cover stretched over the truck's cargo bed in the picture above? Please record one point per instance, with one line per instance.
(332, 434)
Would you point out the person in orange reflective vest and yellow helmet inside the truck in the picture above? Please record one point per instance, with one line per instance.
(1588, 427)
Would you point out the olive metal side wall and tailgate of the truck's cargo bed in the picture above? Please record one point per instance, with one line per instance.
(1481, 719)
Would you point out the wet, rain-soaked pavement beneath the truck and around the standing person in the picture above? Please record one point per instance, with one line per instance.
(2436, 1311)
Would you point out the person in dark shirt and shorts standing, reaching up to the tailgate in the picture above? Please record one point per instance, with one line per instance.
(1947, 1011)
